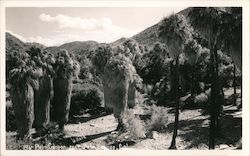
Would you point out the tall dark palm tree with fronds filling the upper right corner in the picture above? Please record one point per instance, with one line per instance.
(220, 26)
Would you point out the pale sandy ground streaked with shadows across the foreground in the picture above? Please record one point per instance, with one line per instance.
(96, 132)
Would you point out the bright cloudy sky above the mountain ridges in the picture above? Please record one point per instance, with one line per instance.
(53, 26)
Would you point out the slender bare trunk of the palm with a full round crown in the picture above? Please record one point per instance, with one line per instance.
(173, 143)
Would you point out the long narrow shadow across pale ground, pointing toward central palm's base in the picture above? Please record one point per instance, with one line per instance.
(72, 141)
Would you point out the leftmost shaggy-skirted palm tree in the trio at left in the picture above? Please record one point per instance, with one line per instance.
(24, 81)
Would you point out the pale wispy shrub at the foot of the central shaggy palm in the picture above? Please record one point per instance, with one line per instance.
(135, 126)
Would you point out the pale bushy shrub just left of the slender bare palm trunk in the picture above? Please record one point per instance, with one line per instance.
(159, 119)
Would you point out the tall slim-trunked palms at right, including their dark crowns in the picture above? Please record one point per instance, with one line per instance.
(222, 29)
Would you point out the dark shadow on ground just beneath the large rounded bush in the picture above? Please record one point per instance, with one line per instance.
(89, 115)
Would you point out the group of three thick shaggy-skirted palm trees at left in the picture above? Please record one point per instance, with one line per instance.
(39, 80)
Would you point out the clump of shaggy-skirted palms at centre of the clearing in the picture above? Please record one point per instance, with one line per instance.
(118, 74)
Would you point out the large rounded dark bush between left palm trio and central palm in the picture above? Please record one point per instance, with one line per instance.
(85, 96)
